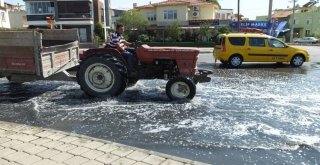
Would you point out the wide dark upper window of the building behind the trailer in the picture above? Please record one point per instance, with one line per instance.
(74, 9)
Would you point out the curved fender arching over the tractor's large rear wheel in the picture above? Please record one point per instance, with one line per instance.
(102, 51)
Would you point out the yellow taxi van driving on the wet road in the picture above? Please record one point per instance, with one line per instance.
(234, 48)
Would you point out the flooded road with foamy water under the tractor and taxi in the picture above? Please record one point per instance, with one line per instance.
(258, 114)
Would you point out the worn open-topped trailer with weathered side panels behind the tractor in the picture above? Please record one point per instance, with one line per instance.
(31, 55)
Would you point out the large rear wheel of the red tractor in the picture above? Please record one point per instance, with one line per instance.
(102, 76)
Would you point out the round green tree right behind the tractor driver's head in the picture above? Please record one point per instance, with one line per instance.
(134, 23)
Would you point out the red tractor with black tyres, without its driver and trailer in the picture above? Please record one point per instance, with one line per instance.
(103, 71)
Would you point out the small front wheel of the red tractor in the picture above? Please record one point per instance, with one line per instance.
(180, 88)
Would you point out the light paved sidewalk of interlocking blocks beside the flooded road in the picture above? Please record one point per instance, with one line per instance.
(27, 145)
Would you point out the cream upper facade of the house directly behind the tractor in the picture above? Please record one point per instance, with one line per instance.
(184, 12)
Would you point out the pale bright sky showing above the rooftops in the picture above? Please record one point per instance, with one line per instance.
(248, 8)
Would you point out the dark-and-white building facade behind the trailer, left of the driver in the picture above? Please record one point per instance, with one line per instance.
(70, 14)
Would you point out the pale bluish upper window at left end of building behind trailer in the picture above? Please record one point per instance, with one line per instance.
(40, 7)
